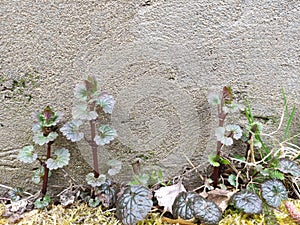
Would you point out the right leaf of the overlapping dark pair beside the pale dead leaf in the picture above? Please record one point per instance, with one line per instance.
(206, 211)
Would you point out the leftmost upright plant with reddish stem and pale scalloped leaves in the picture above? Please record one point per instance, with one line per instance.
(44, 133)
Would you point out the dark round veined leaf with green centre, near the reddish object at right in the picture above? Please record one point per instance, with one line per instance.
(273, 191)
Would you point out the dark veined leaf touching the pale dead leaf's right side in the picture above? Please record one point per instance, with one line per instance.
(183, 205)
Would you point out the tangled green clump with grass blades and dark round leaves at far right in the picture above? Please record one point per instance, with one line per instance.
(264, 169)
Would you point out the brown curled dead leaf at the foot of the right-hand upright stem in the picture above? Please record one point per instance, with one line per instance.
(220, 197)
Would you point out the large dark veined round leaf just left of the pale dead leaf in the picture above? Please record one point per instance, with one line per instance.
(134, 204)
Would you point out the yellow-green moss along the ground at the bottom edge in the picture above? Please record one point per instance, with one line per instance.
(80, 213)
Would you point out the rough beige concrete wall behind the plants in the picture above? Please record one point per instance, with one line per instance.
(158, 58)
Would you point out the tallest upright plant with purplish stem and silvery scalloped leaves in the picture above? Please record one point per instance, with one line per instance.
(91, 104)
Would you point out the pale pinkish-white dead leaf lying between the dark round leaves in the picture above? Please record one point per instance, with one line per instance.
(166, 195)
